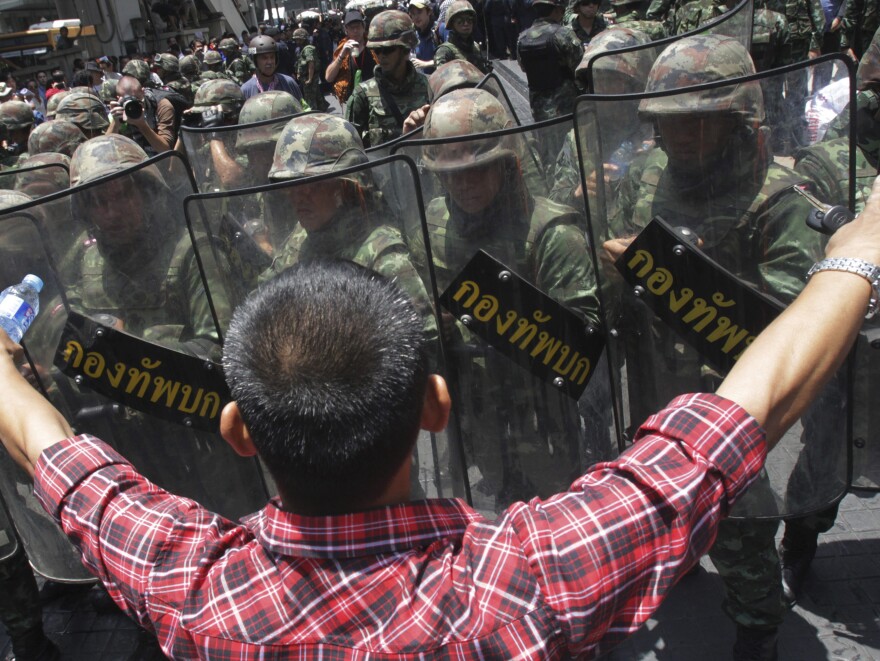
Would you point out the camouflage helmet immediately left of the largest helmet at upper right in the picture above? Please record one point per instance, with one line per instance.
(632, 66)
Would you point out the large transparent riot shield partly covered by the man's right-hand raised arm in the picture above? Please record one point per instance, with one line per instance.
(703, 240)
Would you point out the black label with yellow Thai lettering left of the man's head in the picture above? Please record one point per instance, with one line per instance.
(149, 378)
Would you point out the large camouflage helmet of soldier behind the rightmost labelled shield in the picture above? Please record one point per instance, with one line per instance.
(699, 59)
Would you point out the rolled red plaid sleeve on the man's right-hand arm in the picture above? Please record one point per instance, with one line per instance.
(606, 553)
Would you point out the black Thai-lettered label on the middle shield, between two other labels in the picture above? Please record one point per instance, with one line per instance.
(524, 324)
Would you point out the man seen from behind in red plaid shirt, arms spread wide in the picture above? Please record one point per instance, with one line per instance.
(327, 369)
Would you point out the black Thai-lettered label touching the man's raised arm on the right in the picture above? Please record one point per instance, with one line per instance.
(715, 312)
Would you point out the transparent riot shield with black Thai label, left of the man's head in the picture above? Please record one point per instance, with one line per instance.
(126, 339)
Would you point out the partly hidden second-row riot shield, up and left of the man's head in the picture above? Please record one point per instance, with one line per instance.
(232, 157)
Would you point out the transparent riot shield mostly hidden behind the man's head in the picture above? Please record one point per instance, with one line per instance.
(342, 214)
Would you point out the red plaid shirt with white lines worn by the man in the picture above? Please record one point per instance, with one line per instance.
(570, 575)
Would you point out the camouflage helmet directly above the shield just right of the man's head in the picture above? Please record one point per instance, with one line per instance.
(461, 113)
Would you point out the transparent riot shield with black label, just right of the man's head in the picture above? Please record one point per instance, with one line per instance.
(520, 315)
